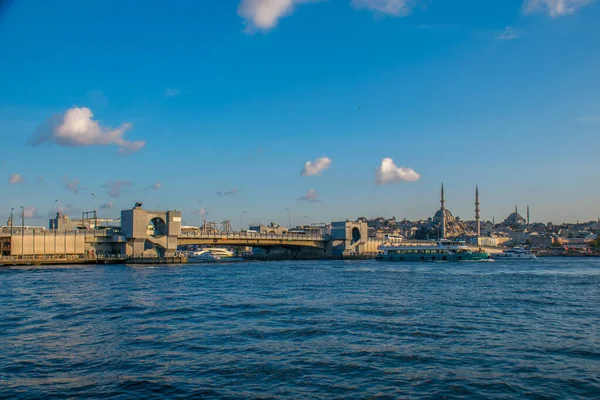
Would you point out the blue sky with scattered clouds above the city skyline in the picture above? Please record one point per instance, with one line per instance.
(194, 98)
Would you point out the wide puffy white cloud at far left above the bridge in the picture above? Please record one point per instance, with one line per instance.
(77, 128)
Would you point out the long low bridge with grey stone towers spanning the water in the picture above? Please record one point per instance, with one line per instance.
(144, 233)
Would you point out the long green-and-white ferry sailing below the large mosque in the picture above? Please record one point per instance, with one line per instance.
(442, 250)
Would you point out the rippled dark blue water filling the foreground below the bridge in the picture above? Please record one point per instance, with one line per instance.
(356, 330)
